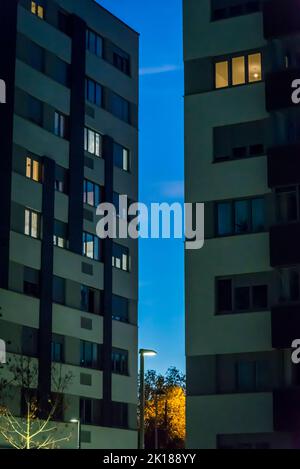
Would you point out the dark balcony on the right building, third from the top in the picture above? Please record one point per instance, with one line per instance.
(284, 165)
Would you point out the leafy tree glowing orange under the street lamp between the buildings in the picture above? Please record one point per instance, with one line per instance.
(165, 409)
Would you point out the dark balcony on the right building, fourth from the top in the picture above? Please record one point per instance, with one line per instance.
(285, 245)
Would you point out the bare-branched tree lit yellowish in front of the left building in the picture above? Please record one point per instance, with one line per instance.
(37, 428)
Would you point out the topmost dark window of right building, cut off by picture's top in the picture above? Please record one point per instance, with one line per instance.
(222, 9)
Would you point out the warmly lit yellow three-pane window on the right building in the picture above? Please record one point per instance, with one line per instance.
(238, 70)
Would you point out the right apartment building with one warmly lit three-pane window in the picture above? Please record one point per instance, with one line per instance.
(242, 140)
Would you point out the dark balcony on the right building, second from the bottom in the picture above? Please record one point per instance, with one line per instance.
(285, 320)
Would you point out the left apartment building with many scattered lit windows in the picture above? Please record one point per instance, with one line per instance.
(69, 140)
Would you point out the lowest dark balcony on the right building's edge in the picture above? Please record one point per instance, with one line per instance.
(286, 410)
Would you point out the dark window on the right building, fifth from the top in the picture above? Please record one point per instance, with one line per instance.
(240, 294)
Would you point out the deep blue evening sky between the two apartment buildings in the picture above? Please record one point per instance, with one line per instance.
(161, 305)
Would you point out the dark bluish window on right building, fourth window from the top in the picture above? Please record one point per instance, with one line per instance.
(241, 216)
